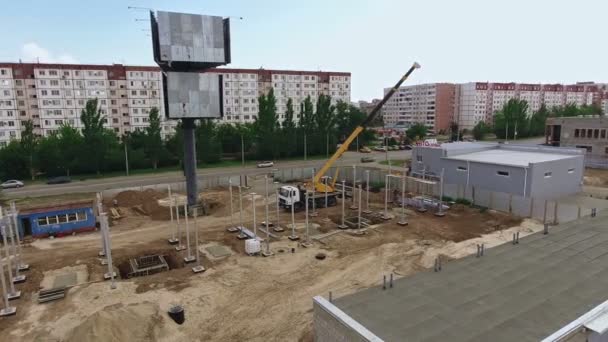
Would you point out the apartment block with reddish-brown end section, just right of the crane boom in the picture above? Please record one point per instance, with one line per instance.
(430, 104)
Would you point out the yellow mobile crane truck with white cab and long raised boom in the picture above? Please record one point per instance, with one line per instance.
(290, 195)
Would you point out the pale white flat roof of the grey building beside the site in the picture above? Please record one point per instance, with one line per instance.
(510, 157)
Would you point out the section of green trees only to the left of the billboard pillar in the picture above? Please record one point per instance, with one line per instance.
(94, 149)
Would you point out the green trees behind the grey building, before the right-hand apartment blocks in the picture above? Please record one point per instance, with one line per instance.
(513, 121)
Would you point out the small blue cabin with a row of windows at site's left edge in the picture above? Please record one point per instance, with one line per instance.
(56, 220)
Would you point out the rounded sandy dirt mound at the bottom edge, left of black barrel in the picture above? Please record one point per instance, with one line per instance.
(136, 322)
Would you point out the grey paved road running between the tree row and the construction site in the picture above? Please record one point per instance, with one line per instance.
(95, 185)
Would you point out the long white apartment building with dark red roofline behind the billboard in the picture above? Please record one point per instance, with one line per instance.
(54, 94)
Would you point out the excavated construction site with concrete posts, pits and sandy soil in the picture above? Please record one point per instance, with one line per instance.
(240, 295)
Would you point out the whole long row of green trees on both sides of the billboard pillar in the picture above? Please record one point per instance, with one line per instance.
(314, 130)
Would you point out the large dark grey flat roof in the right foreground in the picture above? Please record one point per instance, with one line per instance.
(521, 292)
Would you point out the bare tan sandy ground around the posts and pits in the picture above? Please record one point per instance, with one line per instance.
(238, 298)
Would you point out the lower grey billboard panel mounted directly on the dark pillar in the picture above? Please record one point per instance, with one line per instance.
(193, 95)
